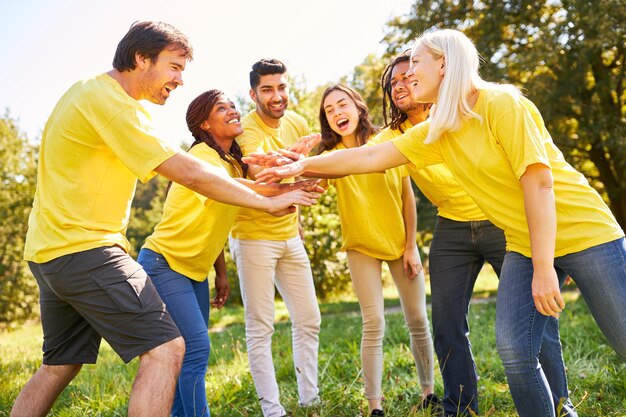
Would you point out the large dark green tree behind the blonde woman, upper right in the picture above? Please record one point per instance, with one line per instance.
(567, 55)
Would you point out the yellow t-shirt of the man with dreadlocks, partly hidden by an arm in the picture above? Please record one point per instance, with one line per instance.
(438, 184)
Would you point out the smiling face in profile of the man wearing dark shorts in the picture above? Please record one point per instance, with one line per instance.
(162, 75)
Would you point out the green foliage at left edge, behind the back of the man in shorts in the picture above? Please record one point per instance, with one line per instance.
(18, 159)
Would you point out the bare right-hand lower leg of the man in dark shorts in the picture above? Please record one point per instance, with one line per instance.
(153, 390)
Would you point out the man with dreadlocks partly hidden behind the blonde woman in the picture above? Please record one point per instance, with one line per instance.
(463, 240)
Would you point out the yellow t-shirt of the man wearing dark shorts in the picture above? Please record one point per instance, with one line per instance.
(96, 143)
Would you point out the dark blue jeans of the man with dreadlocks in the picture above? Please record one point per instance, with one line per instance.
(457, 254)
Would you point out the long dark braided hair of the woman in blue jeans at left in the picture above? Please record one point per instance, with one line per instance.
(197, 112)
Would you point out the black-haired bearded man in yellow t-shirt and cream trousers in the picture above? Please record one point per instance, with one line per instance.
(269, 252)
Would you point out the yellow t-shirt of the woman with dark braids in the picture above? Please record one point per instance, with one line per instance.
(193, 229)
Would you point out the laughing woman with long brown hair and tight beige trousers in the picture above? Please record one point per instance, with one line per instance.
(378, 224)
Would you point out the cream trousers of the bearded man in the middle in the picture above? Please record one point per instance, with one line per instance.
(261, 264)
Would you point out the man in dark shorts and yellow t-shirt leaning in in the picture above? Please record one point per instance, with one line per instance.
(97, 142)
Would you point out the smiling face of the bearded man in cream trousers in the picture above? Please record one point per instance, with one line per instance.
(271, 97)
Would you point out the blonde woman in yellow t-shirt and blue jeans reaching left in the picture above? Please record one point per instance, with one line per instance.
(496, 145)
